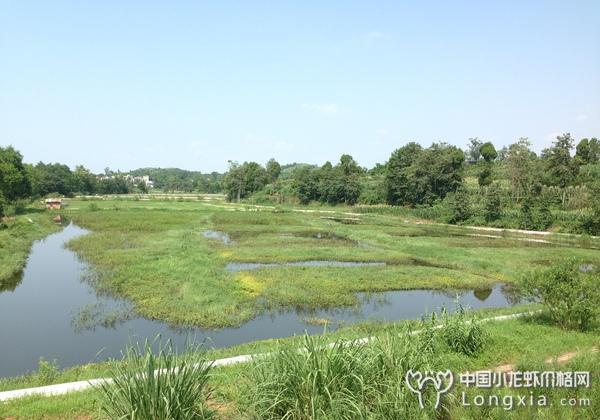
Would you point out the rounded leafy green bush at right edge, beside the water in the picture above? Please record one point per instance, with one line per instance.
(570, 295)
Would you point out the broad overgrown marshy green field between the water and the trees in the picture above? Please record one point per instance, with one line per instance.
(155, 253)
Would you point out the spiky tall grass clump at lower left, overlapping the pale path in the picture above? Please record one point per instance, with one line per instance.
(157, 386)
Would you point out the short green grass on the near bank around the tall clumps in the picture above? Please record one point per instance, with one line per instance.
(524, 343)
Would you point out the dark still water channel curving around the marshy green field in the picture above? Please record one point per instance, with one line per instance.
(50, 312)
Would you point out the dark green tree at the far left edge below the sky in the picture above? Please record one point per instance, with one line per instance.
(14, 179)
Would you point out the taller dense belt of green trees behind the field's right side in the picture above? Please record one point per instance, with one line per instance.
(510, 187)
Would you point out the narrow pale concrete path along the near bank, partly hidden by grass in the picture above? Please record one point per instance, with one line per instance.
(61, 389)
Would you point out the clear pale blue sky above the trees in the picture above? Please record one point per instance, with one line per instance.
(194, 84)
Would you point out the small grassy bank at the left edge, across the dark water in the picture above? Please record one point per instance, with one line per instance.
(16, 239)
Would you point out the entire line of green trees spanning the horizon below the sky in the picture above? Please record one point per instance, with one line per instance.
(510, 187)
